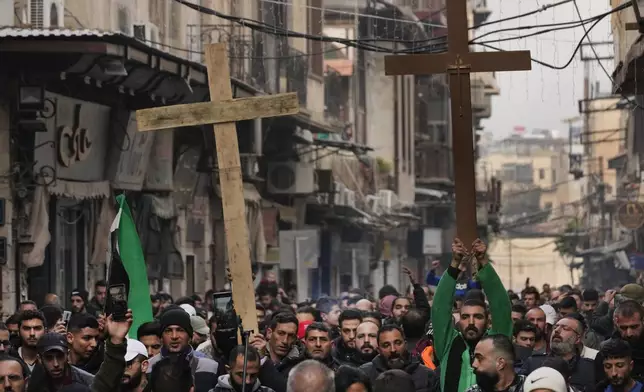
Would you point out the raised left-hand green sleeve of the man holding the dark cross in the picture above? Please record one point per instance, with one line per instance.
(442, 320)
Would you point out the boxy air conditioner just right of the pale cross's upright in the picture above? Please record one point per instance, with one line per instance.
(290, 178)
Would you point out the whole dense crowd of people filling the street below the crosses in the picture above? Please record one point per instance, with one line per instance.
(458, 330)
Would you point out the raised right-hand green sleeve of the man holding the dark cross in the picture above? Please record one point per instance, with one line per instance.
(497, 296)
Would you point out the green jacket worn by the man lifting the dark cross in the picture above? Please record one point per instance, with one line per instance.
(445, 335)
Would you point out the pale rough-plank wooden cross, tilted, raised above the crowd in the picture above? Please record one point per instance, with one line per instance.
(223, 111)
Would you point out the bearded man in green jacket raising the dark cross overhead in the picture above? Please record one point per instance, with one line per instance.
(454, 348)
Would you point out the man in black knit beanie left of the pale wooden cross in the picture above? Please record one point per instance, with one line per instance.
(176, 332)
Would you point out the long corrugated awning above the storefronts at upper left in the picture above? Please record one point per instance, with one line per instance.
(75, 55)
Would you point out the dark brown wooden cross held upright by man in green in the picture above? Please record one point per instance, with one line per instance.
(459, 62)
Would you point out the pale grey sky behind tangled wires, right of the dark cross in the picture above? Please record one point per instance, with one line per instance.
(543, 97)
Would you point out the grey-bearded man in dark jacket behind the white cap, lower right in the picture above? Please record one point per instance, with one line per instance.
(566, 343)
